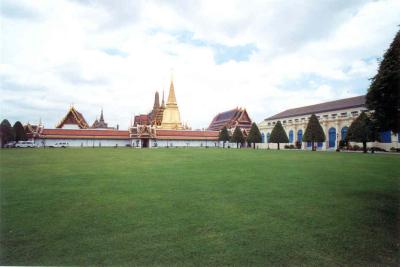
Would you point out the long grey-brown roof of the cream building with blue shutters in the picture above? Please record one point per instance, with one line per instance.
(352, 102)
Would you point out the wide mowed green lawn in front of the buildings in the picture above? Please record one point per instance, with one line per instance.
(198, 207)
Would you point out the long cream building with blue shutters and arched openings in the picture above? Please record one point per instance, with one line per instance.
(335, 118)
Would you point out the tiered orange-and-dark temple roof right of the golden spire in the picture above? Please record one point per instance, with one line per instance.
(230, 119)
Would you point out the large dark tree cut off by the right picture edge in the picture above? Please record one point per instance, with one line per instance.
(383, 95)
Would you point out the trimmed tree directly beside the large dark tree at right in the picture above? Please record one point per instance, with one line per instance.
(362, 130)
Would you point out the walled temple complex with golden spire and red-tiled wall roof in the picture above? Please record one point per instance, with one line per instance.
(161, 127)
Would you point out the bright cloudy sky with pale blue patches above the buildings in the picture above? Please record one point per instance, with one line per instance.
(266, 56)
